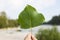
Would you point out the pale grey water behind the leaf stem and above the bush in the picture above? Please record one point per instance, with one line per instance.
(35, 30)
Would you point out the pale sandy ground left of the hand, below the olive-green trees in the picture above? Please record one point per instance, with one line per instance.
(11, 34)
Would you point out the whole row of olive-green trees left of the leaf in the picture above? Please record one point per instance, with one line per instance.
(5, 22)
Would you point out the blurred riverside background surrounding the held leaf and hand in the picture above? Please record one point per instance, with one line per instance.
(9, 26)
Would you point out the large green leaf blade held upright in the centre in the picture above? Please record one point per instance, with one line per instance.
(29, 17)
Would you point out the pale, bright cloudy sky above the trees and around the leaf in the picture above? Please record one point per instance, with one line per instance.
(48, 8)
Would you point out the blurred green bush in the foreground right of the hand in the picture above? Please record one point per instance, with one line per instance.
(48, 34)
